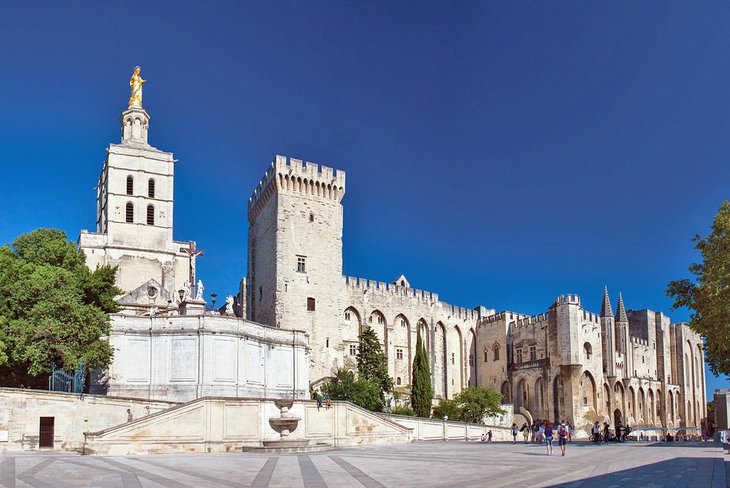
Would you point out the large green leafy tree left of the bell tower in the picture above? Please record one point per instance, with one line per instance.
(53, 309)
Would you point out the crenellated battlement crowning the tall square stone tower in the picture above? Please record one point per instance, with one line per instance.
(291, 175)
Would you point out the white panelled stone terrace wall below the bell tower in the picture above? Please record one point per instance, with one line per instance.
(181, 358)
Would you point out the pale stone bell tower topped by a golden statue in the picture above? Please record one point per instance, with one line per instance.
(134, 210)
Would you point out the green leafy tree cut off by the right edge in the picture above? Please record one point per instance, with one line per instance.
(708, 295)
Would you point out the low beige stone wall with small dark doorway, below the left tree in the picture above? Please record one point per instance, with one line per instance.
(21, 410)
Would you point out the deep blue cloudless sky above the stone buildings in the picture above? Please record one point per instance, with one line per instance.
(498, 153)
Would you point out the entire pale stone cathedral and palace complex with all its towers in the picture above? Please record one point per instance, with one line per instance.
(633, 366)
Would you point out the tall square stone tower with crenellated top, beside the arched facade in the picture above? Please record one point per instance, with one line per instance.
(295, 256)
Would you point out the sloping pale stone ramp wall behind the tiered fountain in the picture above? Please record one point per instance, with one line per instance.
(229, 424)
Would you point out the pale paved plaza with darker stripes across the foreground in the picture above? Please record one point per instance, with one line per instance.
(426, 464)
